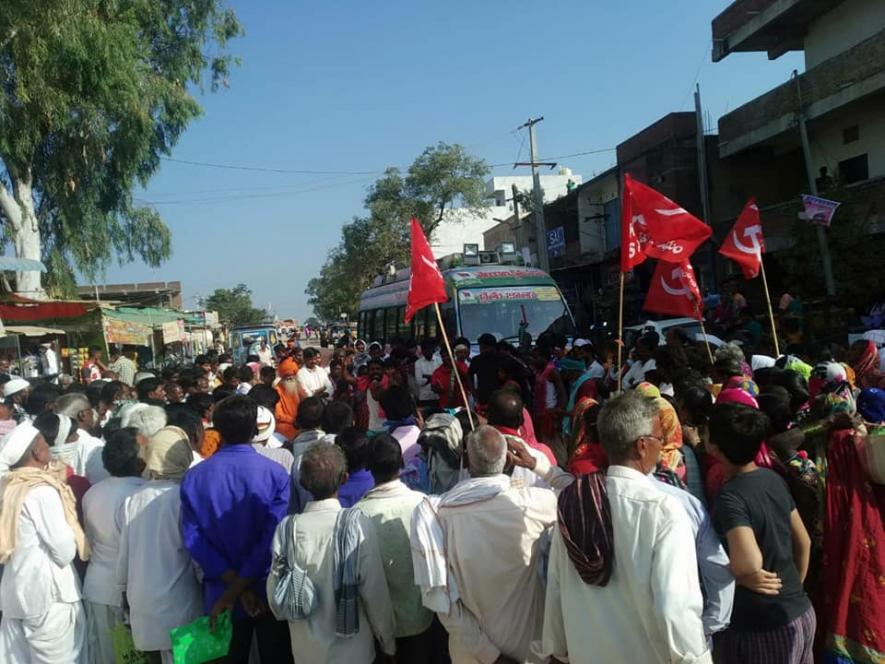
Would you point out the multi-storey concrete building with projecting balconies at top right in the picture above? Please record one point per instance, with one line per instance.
(841, 95)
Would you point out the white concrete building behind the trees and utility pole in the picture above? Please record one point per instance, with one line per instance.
(460, 226)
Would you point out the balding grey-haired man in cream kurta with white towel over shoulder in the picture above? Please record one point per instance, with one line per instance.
(476, 556)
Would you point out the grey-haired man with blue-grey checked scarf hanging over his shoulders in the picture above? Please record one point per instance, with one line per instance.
(338, 550)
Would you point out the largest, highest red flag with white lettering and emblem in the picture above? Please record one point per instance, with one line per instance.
(653, 226)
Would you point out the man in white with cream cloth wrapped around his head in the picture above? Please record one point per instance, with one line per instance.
(153, 566)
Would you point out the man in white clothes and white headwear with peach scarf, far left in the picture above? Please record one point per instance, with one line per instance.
(43, 616)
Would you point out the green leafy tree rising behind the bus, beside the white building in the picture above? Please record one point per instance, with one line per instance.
(442, 178)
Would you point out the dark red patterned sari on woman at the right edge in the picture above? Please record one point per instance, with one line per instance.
(852, 618)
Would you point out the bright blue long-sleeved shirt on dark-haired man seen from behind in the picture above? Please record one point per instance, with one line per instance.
(231, 504)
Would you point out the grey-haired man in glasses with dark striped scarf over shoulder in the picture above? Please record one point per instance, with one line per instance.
(647, 607)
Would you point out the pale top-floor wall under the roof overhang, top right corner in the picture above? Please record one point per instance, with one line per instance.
(845, 26)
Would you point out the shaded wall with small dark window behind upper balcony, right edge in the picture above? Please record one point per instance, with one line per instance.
(828, 147)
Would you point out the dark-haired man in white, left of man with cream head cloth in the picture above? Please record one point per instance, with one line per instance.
(101, 518)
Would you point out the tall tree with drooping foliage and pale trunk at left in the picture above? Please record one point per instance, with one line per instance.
(94, 92)
